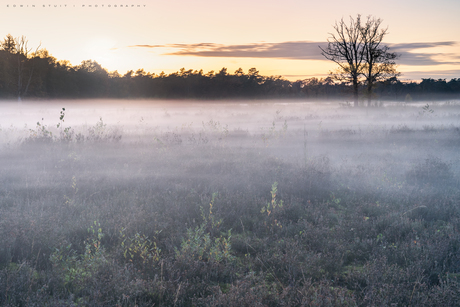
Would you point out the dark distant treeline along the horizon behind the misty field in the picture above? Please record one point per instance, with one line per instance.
(39, 75)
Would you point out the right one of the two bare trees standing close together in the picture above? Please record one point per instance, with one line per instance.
(379, 62)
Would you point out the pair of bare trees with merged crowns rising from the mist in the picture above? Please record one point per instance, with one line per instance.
(357, 49)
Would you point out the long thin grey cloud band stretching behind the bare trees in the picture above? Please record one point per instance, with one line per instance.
(305, 50)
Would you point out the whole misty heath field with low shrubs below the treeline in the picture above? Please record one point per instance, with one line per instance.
(236, 203)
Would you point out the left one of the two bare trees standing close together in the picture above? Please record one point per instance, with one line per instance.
(346, 49)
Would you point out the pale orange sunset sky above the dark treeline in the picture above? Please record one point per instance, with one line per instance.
(276, 37)
